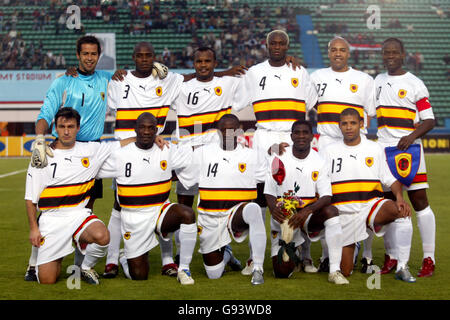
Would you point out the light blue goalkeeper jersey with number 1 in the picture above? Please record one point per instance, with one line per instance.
(87, 95)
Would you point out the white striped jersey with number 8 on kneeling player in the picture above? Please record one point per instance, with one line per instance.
(144, 177)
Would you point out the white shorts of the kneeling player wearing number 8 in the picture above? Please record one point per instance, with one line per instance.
(139, 229)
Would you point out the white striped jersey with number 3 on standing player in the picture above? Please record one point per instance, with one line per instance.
(134, 96)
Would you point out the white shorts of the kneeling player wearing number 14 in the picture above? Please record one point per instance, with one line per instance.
(215, 231)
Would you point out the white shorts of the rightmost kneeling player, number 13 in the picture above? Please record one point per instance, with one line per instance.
(354, 225)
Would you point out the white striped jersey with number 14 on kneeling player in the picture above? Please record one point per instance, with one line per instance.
(225, 178)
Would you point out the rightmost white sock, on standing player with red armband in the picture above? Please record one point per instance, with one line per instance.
(427, 227)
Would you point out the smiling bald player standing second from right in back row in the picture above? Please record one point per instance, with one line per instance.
(339, 87)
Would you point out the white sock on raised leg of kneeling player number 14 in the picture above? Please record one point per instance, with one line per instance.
(257, 233)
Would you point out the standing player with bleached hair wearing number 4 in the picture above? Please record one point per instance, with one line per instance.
(280, 96)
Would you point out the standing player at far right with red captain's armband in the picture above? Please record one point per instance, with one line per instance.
(404, 116)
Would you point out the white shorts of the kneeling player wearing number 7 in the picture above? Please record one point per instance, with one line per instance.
(59, 230)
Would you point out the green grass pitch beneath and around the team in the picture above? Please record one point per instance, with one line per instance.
(15, 249)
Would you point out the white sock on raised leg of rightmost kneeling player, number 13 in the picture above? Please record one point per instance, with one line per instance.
(403, 236)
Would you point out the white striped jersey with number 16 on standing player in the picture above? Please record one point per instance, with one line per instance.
(200, 105)
